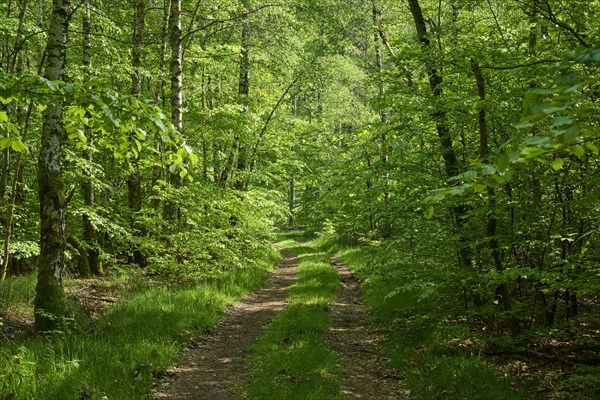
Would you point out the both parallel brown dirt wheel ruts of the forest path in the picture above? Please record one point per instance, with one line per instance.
(214, 367)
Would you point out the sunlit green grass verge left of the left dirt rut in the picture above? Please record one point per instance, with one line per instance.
(126, 349)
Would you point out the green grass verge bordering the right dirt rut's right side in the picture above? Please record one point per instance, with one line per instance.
(423, 344)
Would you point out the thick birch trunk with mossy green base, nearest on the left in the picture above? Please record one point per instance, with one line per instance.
(49, 304)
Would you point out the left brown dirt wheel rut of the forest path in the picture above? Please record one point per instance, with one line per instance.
(213, 367)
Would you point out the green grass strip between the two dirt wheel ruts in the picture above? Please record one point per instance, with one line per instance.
(291, 361)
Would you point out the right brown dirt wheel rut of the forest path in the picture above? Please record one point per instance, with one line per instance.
(366, 376)
